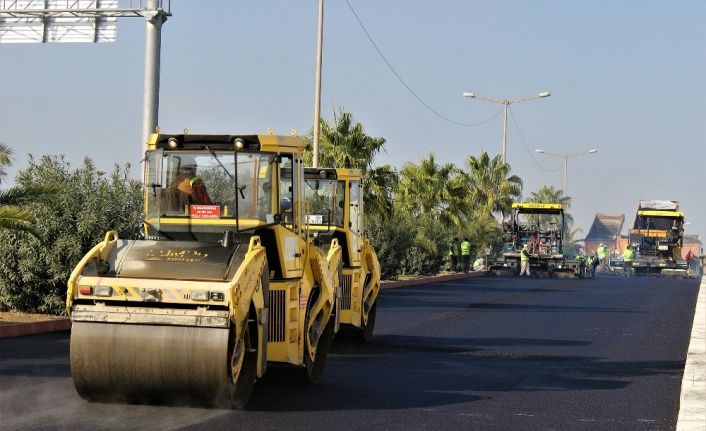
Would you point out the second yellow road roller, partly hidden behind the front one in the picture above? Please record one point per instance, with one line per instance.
(335, 206)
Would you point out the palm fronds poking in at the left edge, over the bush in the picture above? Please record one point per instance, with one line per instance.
(13, 215)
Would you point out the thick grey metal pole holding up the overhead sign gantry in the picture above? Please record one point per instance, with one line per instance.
(153, 42)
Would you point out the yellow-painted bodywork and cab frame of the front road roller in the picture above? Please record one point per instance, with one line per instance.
(282, 335)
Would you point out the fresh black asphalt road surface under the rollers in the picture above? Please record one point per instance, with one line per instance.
(488, 353)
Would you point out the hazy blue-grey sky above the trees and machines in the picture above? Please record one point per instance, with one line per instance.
(627, 78)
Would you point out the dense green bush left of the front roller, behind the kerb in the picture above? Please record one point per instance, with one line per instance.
(33, 273)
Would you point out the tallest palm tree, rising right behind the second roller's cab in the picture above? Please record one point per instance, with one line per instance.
(344, 144)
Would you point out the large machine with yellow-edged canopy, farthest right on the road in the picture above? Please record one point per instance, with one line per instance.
(657, 239)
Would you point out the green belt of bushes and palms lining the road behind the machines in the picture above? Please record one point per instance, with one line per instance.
(55, 212)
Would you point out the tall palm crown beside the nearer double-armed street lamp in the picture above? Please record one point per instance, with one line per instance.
(492, 188)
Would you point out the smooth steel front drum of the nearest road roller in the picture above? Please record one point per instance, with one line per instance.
(149, 363)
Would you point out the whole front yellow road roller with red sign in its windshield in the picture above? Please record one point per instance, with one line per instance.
(226, 282)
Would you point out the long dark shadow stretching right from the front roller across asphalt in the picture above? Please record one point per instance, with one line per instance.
(400, 372)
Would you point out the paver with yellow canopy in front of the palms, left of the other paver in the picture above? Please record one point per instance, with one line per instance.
(541, 226)
